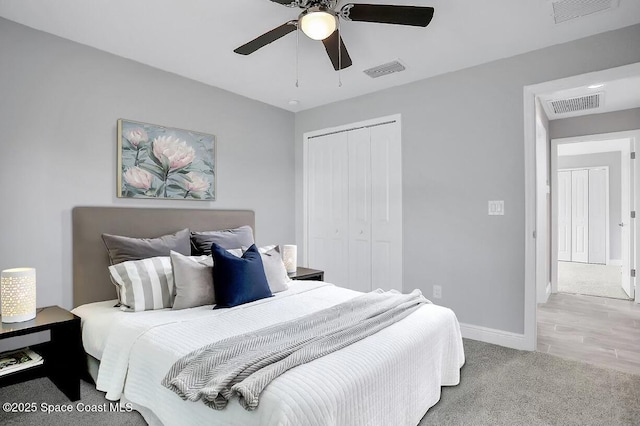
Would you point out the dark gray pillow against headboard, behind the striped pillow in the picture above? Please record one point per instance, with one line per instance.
(122, 249)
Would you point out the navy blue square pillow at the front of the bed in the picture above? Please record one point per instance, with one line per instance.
(238, 280)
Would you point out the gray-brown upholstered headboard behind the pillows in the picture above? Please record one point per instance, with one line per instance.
(91, 281)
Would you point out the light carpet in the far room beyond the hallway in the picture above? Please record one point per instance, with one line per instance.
(590, 279)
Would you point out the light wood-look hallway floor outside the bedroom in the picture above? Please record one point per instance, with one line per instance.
(597, 330)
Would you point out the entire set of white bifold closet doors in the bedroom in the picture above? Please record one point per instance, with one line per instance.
(354, 204)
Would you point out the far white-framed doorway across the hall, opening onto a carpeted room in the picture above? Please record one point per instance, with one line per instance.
(590, 198)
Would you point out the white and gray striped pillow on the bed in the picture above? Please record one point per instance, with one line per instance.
(144, 284)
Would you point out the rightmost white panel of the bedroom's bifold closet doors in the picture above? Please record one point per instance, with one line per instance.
(386, 210)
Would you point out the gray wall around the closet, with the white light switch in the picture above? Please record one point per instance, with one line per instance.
(462, 136)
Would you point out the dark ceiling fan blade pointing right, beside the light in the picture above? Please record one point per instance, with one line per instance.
(388, 14)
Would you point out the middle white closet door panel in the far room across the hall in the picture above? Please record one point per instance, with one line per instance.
(580, 216)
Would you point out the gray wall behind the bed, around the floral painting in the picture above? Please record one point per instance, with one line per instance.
(59, 102)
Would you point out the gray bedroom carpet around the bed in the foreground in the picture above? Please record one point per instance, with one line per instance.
(499, 386)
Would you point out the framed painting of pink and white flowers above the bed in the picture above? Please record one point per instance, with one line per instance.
(162, 162)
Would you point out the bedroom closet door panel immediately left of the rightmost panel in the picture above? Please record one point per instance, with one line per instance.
(360, 210)
